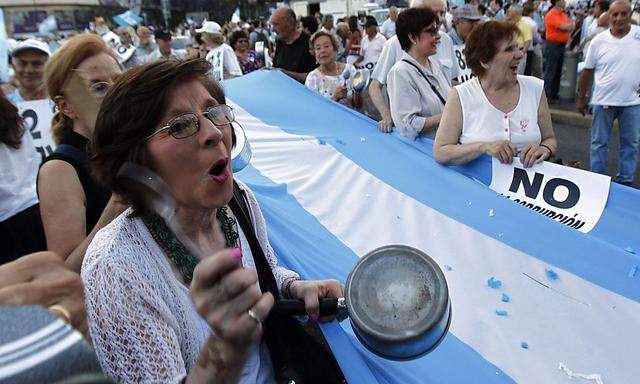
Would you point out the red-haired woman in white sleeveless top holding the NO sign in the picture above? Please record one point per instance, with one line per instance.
(497, 112)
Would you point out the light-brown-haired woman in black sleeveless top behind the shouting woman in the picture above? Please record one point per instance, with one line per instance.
(71, 201)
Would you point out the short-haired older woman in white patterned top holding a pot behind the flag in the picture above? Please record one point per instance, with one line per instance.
(328, 79)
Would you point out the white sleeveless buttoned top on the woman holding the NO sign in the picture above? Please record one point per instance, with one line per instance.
(481, 121)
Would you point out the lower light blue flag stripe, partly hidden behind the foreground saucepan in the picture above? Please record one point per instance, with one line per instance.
(303, 244)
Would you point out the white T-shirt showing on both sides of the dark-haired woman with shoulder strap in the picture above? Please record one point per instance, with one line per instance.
(392, 52)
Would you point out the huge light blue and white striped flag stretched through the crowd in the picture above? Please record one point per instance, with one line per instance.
(533, 300)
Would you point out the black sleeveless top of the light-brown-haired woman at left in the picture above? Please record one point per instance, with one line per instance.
(95, 194)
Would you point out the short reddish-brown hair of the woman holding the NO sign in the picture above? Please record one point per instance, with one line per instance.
(484, 41)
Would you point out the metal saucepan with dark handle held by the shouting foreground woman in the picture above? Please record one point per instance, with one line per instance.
(397, 300)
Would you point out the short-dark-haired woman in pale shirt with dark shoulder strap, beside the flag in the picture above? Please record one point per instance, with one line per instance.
(416, 84)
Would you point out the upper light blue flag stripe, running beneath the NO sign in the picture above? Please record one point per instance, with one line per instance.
(277, 100)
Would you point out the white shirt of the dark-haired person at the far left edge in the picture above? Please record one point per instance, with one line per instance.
(18, 177)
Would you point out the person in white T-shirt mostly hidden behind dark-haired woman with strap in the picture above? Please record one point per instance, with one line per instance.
(392, 52)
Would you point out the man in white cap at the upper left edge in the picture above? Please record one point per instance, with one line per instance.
(29, 59)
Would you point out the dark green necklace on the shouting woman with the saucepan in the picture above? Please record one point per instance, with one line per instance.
(176, 251)
